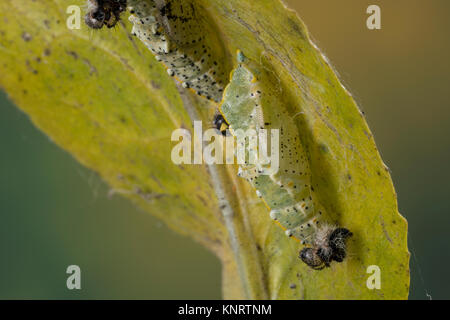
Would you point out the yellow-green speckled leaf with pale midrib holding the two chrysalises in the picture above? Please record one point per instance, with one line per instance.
(104, 98)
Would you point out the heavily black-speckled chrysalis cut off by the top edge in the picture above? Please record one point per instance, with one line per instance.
(173, 31)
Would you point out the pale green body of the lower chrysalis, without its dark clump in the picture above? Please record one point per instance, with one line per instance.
(249, 104)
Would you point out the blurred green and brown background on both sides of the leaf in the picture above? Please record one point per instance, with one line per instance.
(55, 213)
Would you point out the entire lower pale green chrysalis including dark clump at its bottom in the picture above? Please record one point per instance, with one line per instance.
(251, 105)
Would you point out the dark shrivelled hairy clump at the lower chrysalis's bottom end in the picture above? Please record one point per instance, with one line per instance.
(329, 245)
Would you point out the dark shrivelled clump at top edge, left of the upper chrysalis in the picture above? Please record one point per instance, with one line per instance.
(104, 13)
